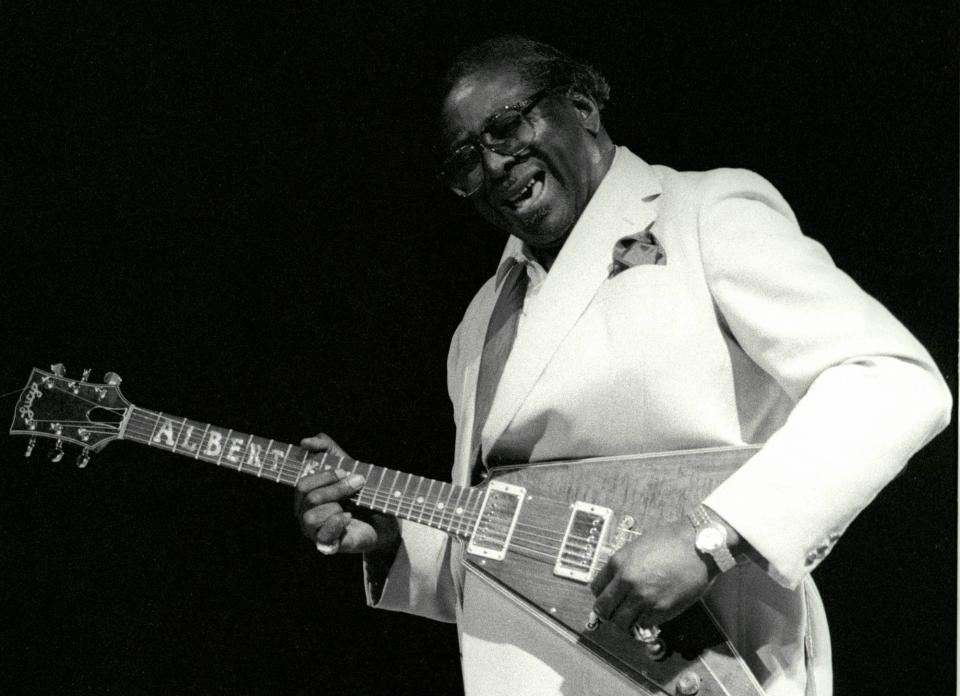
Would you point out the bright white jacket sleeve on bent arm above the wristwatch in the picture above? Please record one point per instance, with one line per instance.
(867, 394)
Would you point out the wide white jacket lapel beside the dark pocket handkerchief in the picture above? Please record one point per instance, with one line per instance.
(623, 204)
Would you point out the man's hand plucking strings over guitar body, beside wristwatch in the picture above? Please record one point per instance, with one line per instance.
(653, 579)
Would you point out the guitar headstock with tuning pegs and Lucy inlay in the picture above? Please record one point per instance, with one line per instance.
(81, 412)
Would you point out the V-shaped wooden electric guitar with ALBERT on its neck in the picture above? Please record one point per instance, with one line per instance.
(538, 532)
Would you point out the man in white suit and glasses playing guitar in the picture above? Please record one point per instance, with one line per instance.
(661, 310)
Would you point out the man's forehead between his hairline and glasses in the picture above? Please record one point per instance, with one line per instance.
(475, 97)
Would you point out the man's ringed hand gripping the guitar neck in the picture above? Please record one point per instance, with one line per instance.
(319, 506)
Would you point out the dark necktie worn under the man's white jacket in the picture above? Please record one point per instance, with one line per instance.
(501, 332)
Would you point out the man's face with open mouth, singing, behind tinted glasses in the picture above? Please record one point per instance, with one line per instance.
(539, 194)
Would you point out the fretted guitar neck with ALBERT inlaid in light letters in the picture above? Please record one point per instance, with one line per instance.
(452, 509)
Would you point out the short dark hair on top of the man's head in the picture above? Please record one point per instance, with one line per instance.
(540, 64)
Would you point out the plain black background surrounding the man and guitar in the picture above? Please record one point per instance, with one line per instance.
(232, 206)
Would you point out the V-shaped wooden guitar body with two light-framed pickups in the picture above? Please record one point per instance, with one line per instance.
(610, 502)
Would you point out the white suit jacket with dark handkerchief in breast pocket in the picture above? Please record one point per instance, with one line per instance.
(747, 334)
